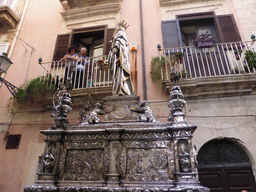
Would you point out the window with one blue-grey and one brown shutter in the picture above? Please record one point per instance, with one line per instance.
(186, 28)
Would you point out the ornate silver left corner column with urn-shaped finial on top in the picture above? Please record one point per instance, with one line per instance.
(49, 160)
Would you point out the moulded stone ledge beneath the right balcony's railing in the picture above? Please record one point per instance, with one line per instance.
(215, 86)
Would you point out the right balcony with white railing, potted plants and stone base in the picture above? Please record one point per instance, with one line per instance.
(221, 70)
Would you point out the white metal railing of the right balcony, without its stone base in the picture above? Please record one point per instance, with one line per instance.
(222, 59)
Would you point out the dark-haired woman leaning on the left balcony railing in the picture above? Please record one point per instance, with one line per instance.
(70, 62)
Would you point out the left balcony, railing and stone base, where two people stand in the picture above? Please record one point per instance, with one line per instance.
(90, 79)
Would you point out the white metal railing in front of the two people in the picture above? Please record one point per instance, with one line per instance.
(93, 72)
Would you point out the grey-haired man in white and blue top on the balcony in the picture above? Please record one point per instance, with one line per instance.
(80, 68)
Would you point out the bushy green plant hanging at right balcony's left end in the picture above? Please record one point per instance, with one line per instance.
(157, 64)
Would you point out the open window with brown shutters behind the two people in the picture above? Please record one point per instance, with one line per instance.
(95, 39)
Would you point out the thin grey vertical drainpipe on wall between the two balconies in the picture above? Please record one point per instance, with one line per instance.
(143, 54)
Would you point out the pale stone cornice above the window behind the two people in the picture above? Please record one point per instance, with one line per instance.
(91, 11)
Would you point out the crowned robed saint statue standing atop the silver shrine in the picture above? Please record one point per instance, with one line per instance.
(119, 62)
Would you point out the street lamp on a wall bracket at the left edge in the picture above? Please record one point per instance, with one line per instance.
(5, 63)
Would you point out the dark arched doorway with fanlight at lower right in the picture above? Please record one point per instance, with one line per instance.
(224, 166)
